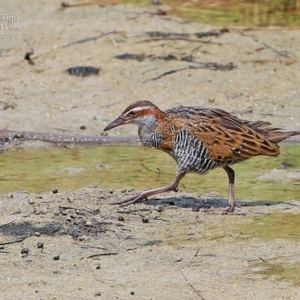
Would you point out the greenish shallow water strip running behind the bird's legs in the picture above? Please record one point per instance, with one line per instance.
(140, 168)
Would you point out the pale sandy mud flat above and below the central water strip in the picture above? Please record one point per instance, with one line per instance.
(173, 251)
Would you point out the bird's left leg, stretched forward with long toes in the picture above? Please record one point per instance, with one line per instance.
(139, 197)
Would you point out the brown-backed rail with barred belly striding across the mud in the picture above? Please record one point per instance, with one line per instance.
(200, 139)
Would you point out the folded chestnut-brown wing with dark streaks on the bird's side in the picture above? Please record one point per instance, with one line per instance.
(230, 138)
